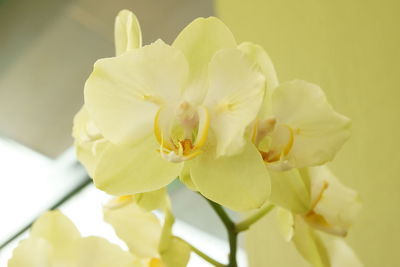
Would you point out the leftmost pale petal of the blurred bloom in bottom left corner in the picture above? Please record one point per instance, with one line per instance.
(32, 252)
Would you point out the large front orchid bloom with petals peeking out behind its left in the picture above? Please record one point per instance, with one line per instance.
(152, 110)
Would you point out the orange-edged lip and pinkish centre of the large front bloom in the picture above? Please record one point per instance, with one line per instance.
(182, 137)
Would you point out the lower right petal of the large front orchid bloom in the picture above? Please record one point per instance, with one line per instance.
(239, 182)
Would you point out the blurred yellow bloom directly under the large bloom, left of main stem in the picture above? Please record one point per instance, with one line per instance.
(141, 230)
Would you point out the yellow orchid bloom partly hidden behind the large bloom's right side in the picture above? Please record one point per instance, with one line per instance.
(296, 126)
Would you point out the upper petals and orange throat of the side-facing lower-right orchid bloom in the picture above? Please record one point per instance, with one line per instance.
(326, 204)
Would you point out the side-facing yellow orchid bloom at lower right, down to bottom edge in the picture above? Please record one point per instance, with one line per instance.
(331, 208)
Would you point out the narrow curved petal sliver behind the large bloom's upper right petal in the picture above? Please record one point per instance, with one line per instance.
(258, 55)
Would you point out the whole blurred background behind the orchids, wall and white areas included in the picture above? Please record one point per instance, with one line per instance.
(350, 48)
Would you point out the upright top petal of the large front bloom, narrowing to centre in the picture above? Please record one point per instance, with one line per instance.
(199, 41)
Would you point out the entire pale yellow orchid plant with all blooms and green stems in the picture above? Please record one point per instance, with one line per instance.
(213, 113)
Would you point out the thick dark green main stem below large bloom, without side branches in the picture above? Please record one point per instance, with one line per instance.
(231, 229)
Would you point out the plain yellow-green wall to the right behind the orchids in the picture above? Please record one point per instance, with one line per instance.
(352, 49)
